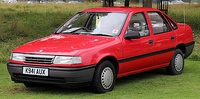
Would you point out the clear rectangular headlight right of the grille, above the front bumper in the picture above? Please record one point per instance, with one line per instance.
(67, 60)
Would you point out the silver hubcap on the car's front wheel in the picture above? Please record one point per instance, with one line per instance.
(107, 78)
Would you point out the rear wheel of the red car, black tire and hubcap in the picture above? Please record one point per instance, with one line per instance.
(176, 65)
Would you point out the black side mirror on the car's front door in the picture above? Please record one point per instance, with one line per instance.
(132, 35)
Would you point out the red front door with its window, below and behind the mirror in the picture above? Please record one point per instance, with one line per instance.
(137, 52)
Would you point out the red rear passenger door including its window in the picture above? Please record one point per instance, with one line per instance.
(164, 39)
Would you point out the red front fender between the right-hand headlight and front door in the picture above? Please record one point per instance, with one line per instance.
(94, 55)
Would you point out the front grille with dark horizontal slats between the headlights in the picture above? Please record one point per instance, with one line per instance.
(39, 59)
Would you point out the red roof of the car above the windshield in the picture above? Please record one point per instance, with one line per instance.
(119, 9)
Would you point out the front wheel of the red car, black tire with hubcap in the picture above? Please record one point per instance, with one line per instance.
(104, 77)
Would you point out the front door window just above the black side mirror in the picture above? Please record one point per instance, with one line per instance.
(138, 24)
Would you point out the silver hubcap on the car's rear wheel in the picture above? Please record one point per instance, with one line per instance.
(178, 62)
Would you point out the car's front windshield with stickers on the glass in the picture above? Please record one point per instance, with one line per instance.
(105, 24)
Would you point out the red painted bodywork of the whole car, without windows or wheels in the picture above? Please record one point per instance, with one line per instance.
(132, 55)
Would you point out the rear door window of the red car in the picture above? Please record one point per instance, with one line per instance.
(158, 22)
